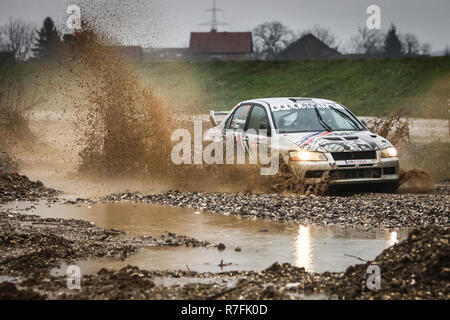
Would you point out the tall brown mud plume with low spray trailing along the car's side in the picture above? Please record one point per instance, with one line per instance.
(123, 128)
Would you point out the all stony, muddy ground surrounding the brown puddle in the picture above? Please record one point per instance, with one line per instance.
(416, 268)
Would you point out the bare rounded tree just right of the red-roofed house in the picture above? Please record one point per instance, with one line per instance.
(271, 38)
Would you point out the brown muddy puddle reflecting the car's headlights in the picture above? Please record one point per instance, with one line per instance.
(317, 249)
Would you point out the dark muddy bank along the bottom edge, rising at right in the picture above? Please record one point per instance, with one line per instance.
(417, 268)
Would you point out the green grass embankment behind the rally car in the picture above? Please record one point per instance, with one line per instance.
(416, 86)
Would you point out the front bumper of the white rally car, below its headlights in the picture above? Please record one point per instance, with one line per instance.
(377, 170)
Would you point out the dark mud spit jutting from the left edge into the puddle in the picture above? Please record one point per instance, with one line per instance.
(30, 245)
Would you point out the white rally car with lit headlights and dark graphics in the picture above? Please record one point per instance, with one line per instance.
(320, 136)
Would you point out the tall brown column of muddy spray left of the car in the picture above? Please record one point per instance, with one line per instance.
(123, 127)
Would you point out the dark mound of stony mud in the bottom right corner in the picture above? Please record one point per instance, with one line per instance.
(417, 268)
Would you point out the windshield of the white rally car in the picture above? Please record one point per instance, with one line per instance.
(316, 119)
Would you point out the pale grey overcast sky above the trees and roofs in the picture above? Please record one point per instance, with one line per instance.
(167, 23)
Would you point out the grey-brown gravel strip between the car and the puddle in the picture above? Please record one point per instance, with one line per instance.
(366, 211)
